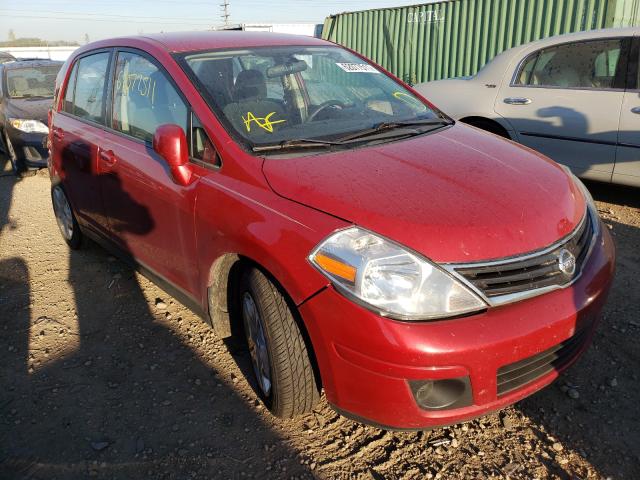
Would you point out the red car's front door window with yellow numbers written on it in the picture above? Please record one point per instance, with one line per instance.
(144, 99)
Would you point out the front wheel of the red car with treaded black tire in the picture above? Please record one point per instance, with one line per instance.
(281, 361)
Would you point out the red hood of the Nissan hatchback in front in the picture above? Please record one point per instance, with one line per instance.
(458, 195)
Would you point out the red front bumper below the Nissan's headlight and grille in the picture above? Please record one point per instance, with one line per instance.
(366, 361)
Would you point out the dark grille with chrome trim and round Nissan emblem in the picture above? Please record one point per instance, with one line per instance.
(531, 272)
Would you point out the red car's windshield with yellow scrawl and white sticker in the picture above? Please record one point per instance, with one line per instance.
(271, 95)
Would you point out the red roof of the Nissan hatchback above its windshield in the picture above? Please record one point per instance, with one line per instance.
(177, 42)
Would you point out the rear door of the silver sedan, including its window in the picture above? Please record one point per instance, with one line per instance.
(565, 102)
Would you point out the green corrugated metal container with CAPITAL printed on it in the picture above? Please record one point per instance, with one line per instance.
(455, 38)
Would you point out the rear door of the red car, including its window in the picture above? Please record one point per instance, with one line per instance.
(77, 132)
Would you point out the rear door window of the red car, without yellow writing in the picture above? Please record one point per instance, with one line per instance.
(88, 96)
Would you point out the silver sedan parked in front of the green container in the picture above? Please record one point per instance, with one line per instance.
(575, 98)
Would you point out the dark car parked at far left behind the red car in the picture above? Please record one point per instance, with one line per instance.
(26, 93)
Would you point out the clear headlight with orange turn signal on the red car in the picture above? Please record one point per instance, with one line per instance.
(390, 279)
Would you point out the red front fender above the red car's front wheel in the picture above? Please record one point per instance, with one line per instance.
(248, 220)
